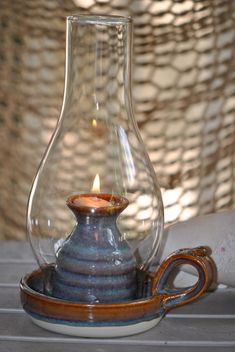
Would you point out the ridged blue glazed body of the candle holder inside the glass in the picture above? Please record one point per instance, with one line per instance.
(95, 264)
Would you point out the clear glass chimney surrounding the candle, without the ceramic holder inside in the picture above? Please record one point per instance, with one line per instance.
(96, 134)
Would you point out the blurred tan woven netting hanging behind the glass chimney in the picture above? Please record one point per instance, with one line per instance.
(183, 90)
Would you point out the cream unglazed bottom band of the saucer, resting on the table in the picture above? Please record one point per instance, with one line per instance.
(99, 331)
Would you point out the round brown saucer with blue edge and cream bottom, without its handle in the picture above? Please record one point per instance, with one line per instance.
(87, 320)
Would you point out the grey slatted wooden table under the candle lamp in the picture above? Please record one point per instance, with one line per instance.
(206, 325)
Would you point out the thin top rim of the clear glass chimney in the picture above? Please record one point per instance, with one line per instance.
(99, 19)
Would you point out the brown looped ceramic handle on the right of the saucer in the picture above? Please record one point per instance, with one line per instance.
(198, 258)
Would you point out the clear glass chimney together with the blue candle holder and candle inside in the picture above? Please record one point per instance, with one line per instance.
(95, 203)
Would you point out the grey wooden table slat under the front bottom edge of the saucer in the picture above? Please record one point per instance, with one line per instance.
(201, 332)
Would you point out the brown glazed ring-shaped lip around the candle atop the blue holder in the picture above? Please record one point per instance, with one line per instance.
(118, 204)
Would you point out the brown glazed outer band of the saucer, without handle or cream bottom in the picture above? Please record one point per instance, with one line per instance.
(37, 302)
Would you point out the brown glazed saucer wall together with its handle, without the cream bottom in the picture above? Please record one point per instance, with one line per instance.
(159, 302)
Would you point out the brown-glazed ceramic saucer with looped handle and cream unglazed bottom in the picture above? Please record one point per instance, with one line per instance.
(117, 318)
